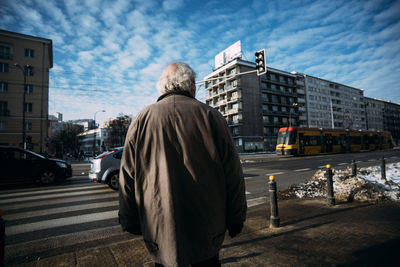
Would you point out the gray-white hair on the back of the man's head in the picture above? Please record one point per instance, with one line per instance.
(177, 76)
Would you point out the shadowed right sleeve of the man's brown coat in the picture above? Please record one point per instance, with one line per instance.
(235, 185)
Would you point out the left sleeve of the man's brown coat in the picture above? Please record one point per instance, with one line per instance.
(128, 210)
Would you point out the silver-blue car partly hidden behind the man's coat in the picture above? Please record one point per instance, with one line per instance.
(105, 168)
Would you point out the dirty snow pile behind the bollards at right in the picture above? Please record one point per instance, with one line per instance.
(367, 186)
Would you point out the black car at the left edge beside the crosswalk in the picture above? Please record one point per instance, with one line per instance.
(19, 165)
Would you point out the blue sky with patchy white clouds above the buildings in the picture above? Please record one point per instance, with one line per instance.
(109, 54)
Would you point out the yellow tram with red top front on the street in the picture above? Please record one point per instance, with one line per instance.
(312, 141)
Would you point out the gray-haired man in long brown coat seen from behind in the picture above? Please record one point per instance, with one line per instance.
(181, 182)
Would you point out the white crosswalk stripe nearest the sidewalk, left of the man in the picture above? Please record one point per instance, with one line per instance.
(30, 227)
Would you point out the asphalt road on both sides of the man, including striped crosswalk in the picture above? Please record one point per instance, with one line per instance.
(77, 214)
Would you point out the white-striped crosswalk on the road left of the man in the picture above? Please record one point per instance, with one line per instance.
(43, 222)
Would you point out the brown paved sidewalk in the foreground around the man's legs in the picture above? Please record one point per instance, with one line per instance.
(311, 234)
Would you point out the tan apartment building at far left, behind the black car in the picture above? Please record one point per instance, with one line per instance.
(24, 89)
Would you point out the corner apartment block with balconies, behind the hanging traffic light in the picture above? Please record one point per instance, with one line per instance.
(254, 107)
